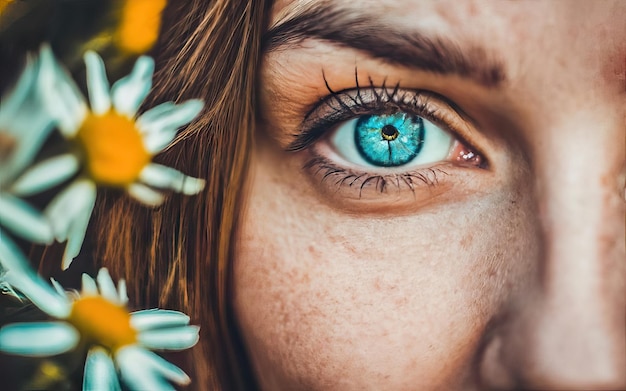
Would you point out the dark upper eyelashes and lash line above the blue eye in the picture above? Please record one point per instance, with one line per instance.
(313, 128)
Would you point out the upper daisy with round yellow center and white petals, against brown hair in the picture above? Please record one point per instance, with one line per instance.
(113, 143)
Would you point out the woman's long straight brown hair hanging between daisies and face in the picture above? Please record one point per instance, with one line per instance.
(178, 255)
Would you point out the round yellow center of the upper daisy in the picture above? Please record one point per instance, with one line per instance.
(113, 147)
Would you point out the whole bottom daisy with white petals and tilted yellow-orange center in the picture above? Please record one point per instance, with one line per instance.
(119, 342)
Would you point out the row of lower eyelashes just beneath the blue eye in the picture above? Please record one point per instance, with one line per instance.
(340, 177)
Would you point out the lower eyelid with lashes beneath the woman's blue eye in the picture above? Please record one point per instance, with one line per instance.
(391, 190)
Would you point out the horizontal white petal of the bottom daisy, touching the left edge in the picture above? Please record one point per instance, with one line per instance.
(38, 338)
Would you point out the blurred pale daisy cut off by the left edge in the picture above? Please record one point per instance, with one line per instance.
(24, 126)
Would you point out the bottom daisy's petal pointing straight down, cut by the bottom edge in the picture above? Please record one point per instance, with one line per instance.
(99, 372)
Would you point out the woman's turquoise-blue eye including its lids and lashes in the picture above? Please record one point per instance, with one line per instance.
(369, 142)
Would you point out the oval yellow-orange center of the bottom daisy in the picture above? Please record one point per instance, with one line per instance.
(102, 322)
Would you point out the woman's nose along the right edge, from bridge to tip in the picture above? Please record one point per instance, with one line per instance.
(575, 328)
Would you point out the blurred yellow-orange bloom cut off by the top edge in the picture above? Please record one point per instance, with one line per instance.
(139, 26)
